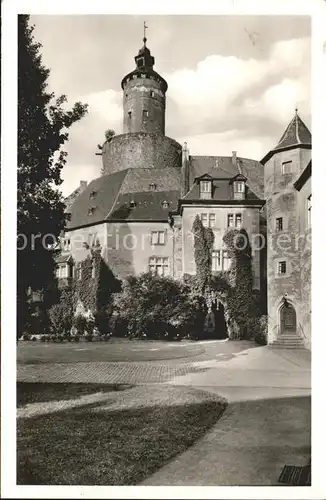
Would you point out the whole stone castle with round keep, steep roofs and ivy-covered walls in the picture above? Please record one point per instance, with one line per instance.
(142, 208)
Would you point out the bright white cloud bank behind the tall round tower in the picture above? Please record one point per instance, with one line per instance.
(225, 103)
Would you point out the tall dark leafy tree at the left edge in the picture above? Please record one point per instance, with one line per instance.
(43, 123)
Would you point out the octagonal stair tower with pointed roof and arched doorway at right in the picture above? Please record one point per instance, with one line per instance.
(282, 167)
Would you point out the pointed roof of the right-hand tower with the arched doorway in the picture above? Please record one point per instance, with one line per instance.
(295, 135)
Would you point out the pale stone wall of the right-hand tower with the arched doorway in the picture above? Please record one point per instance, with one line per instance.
(282, 201)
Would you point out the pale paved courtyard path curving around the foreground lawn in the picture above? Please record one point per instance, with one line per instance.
(267, 422)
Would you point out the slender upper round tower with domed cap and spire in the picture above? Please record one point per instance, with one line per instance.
(144, 95)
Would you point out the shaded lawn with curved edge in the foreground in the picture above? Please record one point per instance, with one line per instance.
(119, 442)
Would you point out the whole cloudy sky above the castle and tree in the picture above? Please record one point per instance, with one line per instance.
(233, 81)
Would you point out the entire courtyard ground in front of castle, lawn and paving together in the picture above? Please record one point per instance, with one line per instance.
(160, 413)
